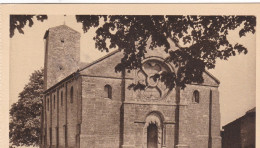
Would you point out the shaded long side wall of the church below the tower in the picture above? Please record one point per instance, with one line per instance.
(61, 114)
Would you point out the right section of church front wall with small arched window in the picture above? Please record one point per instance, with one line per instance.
(196, 117)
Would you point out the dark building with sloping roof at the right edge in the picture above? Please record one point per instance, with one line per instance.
(241, 132)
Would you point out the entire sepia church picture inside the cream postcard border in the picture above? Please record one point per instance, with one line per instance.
(132, 80)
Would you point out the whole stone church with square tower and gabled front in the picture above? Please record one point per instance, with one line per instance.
(90, 106)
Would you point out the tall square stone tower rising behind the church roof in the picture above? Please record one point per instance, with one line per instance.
(62, 54)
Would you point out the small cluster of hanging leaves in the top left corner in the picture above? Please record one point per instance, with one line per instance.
(20, 21)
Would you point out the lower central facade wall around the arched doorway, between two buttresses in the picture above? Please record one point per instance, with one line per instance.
(135, 132)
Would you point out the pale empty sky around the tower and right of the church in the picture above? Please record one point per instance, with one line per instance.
(237, 75)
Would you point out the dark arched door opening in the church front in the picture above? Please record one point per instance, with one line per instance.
(152, 136)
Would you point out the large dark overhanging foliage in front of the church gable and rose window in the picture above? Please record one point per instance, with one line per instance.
(199, 41)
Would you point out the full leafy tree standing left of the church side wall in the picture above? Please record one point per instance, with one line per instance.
(24, 125)
